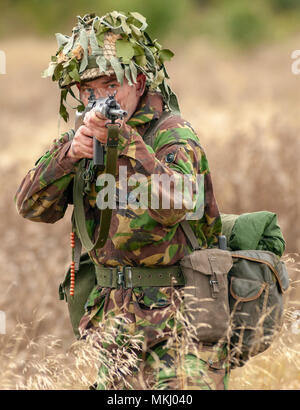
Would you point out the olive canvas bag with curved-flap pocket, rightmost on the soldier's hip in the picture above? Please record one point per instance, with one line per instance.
(256, 283)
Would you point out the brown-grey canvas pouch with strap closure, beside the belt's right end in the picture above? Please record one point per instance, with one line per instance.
(206, 293)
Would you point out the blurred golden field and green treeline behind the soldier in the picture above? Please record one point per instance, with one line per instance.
(232, 72)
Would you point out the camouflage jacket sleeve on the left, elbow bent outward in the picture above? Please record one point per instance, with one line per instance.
(43, 193)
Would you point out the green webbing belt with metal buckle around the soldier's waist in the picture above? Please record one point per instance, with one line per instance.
(131, 277)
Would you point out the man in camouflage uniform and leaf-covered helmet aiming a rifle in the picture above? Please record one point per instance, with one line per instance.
(114, 55)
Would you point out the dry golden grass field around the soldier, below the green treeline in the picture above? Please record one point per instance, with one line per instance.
(245, 109)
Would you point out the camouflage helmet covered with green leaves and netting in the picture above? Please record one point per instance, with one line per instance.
(116, 43)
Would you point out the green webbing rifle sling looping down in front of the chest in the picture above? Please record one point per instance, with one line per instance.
(78, 192)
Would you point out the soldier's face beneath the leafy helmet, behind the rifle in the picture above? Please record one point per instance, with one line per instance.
(127, 96)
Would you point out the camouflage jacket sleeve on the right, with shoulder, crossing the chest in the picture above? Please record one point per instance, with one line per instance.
(177, 157)
